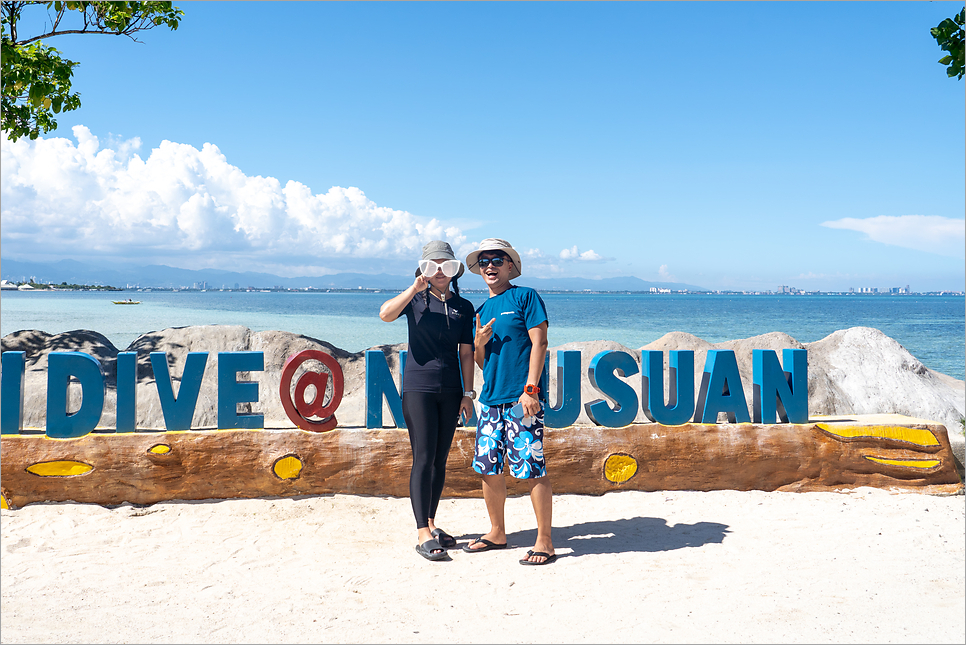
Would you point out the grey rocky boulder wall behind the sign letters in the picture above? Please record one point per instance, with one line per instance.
(853, 371)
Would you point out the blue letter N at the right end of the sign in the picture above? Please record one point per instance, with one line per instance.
(778, 393)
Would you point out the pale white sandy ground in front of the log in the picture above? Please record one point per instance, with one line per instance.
(866, 566)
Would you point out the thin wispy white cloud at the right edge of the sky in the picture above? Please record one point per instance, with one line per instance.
(929, 233)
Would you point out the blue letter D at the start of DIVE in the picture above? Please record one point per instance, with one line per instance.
(60, 367)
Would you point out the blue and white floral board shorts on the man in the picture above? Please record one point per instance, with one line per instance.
(521, 440)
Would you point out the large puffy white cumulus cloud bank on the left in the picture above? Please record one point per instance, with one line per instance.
(99, 198)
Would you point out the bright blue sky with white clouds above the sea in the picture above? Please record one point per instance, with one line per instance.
(728, 145)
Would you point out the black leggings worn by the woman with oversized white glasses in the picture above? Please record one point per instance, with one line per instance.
(431, 420)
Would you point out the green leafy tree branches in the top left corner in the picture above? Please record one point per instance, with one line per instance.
(36, 79)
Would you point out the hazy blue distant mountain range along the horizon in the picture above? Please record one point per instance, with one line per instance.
(165, 277)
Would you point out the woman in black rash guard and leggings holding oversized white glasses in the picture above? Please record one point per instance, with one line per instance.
(440, 362)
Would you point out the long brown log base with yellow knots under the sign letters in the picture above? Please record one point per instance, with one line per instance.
(828, 453)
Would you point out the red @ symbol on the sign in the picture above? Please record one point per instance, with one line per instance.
(300, 410)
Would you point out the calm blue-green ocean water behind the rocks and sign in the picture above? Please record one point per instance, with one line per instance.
(932, 328)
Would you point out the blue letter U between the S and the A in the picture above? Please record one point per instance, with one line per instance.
(680, 405)
